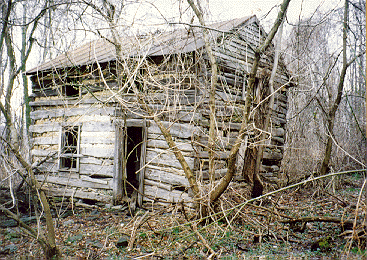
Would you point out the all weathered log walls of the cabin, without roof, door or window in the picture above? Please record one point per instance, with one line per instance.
(176, 88)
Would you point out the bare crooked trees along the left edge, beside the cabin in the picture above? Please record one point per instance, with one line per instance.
(13, 68)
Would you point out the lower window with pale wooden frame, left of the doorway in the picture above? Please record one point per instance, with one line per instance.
(69, 150)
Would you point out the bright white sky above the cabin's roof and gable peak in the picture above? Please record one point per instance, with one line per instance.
(220, 10)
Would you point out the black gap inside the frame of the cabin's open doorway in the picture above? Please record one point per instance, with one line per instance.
(134, 137)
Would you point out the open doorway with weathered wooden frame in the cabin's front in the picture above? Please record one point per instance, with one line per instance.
(130, 146)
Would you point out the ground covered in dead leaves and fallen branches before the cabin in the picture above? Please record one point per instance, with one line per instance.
(304, 221)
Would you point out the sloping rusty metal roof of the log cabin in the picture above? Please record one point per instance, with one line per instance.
(164, 43)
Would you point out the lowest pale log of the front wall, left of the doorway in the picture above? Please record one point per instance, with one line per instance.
(90, 195)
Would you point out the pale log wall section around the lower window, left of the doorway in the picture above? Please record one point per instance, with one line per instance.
(96, 148)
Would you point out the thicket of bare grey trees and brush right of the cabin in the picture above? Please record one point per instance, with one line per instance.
(319, 68)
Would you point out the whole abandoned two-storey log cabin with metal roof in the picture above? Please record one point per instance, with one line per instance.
(95, 140)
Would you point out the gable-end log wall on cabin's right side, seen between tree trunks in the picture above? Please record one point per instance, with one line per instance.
(235, 53)
